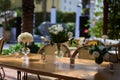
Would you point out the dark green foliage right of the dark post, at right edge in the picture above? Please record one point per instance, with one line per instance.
(113, 19)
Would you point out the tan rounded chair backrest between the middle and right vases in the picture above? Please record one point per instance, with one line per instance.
(82, 53)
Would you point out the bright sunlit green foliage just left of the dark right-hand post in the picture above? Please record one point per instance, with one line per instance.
(97, 28)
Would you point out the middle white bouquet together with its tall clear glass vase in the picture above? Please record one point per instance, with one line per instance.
(58, 35)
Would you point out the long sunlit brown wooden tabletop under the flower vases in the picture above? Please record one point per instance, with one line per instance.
(82, 70)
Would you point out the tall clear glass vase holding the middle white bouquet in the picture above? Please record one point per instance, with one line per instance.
(58, 53)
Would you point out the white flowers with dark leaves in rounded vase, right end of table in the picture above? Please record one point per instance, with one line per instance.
(98, 51)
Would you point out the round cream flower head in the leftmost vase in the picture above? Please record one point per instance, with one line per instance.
(25, 37)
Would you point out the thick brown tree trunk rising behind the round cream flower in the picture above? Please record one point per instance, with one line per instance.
(27, 15)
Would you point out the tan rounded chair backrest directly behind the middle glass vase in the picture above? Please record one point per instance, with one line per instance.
(50, 49)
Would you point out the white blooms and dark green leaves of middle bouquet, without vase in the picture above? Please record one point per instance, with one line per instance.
(58, 33)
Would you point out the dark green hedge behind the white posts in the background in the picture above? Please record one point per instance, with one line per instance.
(61, 17)
